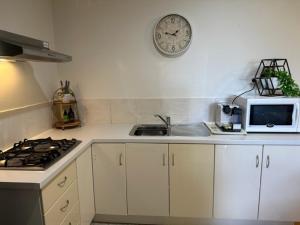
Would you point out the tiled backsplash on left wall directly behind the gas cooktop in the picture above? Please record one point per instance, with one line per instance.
(16, 126)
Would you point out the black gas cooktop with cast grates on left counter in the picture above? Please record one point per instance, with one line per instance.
(37, 154)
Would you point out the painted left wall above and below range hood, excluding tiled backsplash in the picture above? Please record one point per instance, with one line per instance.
(26, 83)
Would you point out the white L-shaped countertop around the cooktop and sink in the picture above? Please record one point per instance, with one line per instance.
(120, 133)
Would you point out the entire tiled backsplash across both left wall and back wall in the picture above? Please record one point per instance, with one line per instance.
(16, 126)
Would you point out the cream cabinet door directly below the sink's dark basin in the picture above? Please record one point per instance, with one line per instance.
(147, 179)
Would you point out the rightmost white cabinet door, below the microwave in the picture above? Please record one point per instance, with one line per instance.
(280, 195)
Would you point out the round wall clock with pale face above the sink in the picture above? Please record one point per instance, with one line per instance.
(172, 35)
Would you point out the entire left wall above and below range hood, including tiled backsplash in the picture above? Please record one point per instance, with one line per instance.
(26, 87)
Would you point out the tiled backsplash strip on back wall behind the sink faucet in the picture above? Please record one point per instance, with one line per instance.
(181, 110)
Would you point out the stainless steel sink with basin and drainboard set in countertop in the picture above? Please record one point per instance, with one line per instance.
(198, 129)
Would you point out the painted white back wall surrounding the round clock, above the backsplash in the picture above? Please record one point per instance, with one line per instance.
(114, 57)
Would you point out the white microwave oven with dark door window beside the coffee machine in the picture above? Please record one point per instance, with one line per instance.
(270, 114)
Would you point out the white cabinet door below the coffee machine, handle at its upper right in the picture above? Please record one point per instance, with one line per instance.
(237, 181)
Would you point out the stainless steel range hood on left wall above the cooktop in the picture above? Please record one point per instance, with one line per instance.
(19, 47)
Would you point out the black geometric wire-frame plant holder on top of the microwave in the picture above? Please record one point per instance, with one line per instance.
(269, 86)
